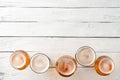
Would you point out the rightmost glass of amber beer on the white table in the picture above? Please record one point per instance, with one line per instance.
(104, 65)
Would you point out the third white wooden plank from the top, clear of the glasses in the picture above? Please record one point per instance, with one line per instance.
(60, 29)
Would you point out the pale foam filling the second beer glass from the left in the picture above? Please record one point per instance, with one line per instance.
(39, 63)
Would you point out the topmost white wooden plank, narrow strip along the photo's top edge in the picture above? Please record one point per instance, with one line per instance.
(60, 3)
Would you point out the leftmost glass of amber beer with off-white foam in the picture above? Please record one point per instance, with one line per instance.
(19, 60)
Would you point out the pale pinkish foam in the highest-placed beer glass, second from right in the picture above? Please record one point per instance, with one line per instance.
(85, 56)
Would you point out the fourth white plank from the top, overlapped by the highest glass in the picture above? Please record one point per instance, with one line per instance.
(58, 45)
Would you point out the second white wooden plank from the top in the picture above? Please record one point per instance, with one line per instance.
(45, 15)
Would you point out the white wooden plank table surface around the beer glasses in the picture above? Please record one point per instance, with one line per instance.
(56, 28)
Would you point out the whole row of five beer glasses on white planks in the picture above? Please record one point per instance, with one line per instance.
(65, 65)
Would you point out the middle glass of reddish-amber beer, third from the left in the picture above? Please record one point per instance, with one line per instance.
(66, 66)
